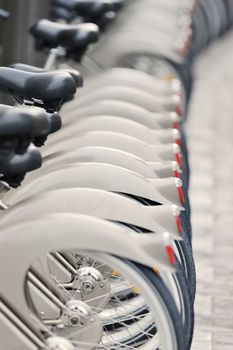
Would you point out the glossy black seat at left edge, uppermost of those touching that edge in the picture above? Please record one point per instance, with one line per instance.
(45, 86)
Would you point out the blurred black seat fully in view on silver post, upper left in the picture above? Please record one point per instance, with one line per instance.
(71, 37)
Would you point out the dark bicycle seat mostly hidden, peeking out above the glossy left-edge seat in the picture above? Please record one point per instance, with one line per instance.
(28, 68)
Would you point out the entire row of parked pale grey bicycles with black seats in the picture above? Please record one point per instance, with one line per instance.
(95, 247)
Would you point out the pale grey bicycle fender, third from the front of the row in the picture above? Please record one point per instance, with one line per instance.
(99, 176)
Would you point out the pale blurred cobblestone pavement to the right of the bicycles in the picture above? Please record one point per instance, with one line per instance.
(210, 133)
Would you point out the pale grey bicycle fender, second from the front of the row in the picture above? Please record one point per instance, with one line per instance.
(99, 203)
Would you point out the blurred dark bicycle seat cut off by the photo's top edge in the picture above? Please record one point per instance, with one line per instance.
(89, 8)
